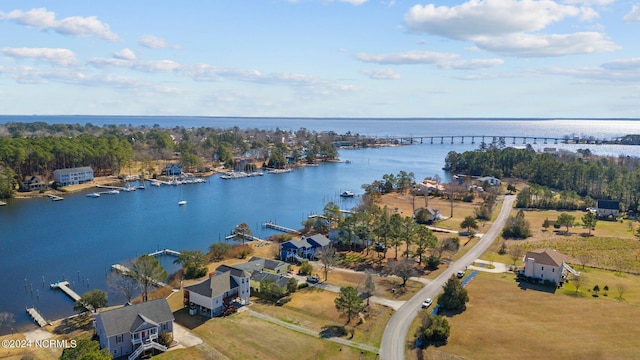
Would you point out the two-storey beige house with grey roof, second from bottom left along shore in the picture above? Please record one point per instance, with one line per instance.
(214, 295)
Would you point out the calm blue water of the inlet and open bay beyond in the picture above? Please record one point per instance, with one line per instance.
(79, 238)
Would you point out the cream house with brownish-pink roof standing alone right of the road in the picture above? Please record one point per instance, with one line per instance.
(546, 265)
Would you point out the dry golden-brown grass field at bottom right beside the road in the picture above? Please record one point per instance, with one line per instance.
(504, 320)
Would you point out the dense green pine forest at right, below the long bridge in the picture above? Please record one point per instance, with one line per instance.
(571, 175)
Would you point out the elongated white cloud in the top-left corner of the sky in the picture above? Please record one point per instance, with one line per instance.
(76, 26)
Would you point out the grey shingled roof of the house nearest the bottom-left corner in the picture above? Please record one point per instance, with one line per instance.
(130, 317)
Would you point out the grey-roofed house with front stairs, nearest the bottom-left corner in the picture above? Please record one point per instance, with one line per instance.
(134, 329)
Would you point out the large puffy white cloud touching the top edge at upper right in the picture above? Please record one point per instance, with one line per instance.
(486, 18)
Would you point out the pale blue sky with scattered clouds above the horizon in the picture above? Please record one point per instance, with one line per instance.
(321, 58)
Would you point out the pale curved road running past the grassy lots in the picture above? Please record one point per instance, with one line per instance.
(394, 337)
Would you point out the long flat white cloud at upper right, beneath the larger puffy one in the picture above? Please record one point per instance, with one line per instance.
(527, 45)
